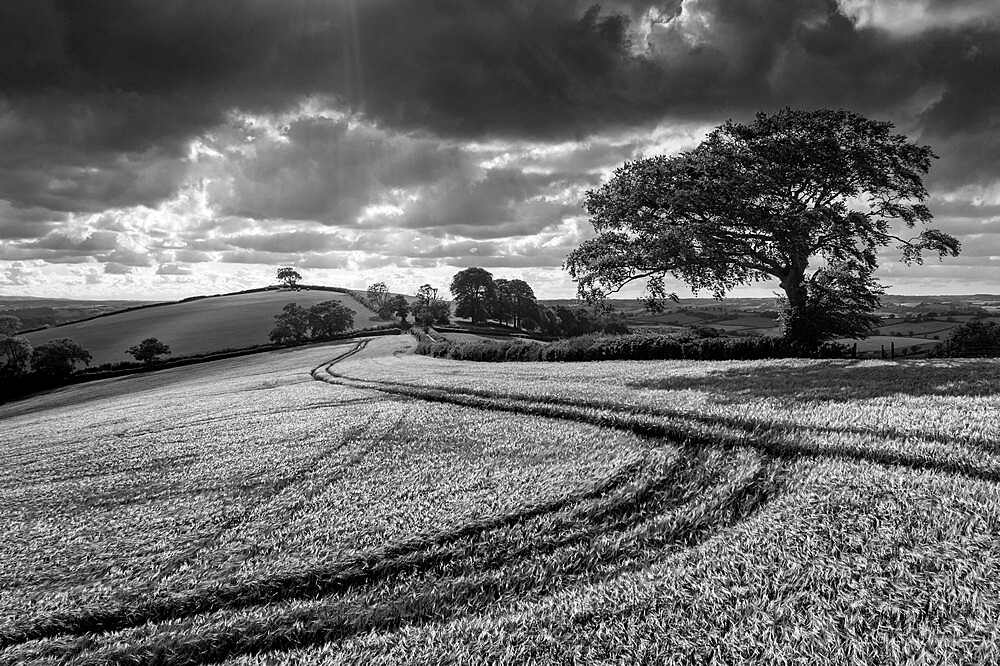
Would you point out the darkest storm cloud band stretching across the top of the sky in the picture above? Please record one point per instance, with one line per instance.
(154, 73)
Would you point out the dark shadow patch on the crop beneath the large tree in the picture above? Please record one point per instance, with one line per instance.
(841, 381)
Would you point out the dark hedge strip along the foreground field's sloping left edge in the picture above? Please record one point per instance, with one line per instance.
(22, 387)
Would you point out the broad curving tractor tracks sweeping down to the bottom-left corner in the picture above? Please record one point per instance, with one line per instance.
(643, 512)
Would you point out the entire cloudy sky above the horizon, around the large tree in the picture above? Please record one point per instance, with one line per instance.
(158, 150)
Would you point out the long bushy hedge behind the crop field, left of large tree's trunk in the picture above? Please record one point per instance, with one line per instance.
(633, 346)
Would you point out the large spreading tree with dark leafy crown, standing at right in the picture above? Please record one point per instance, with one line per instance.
(761, 201)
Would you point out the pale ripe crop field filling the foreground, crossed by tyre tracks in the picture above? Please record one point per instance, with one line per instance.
(406, 509)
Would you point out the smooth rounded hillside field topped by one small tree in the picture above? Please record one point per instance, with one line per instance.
(194, 327)
